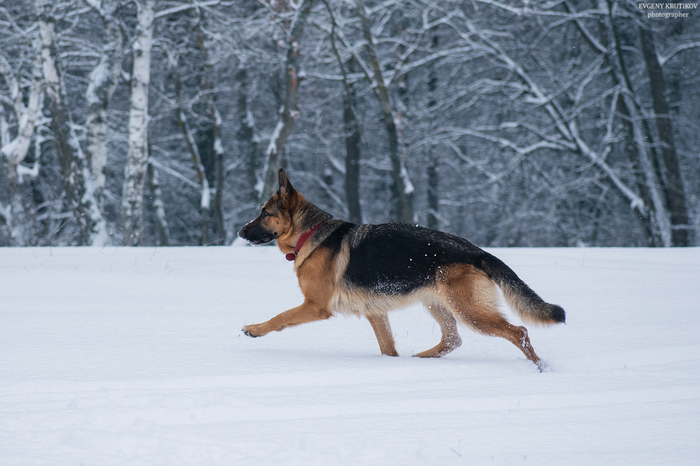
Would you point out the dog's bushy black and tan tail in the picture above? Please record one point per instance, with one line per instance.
(529, 306)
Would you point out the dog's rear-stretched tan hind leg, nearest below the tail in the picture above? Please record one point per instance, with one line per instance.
(473, 298)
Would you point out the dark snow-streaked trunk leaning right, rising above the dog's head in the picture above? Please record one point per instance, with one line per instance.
(290, 109)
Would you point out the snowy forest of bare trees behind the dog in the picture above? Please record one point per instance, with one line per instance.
(512, 123)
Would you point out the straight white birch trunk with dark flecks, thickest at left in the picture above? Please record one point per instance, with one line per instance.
(137, 157)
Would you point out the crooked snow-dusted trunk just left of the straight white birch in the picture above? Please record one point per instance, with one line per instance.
(103, 82)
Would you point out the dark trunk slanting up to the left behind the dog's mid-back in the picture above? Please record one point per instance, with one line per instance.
(402, 188)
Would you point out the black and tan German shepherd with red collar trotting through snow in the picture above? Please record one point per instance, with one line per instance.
(369, 270)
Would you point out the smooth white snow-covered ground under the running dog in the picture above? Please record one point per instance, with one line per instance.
(135, 357)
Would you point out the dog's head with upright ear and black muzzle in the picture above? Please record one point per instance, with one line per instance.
(275, 219)
